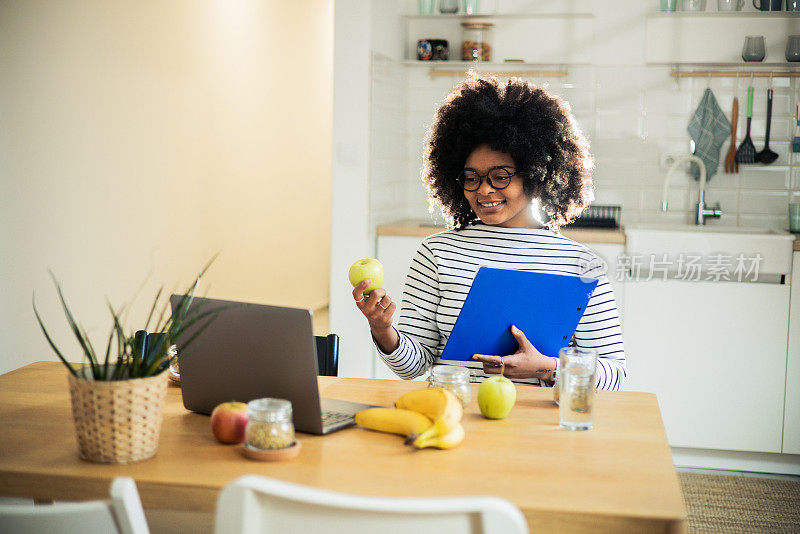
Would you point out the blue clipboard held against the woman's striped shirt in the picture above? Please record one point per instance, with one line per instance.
(546, 307)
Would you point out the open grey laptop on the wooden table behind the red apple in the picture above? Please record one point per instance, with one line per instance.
(249, 351)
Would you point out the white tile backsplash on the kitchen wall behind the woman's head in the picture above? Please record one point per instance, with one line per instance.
(634, 116)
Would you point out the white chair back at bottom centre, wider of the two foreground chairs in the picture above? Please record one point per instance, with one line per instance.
(255, 504)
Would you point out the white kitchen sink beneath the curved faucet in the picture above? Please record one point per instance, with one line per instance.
(713, 243)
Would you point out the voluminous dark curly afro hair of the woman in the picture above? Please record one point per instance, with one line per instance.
(534, 127)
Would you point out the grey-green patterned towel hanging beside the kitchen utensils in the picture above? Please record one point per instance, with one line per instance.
(709, 128)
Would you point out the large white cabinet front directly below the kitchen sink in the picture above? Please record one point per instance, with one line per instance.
(715, 355)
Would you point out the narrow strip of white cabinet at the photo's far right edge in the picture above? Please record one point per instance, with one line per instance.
(791, 416)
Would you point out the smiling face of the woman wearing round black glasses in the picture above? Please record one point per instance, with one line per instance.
(509, 207)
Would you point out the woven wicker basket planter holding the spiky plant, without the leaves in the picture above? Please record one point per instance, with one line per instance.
(118, 421)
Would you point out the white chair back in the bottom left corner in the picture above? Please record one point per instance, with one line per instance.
(122, 514)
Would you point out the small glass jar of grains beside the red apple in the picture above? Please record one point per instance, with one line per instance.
(269, 426)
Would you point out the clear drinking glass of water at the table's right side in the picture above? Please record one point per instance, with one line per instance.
(576, 376)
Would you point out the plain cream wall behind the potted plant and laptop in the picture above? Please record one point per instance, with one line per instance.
(139, 138)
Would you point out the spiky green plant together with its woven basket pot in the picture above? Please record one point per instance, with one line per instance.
(118, 397)
